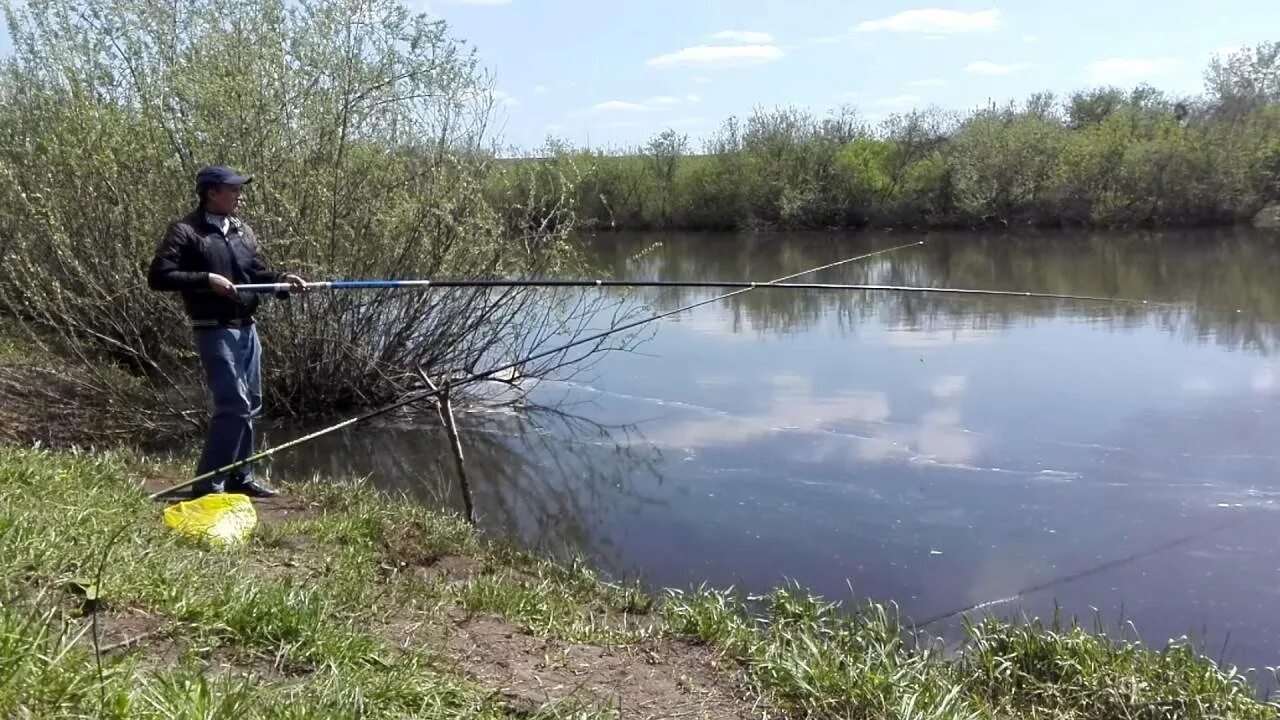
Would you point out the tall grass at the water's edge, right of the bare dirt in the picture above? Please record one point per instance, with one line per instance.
(817, 660)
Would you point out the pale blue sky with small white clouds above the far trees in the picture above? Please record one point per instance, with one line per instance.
(612, 74)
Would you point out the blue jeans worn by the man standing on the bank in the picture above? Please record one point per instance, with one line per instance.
(232, 363)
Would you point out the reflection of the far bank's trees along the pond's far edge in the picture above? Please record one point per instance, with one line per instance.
(1218, 271)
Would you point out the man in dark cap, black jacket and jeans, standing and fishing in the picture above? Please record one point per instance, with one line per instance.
(204, 256)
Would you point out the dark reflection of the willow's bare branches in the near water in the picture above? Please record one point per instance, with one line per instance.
(546, 477)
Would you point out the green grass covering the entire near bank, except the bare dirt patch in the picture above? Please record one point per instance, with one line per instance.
(335, 614)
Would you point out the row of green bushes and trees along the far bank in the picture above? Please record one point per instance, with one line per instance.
(1101, 157)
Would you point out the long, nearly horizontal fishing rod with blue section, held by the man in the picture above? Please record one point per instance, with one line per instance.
(747, 285)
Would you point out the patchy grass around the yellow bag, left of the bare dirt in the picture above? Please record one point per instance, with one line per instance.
(299, 646)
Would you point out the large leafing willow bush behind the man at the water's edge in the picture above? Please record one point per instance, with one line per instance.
(367, 130)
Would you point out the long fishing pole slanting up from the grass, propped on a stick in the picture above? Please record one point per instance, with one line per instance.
(477, 377)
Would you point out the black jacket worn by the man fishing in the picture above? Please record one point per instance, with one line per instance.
(193, 249)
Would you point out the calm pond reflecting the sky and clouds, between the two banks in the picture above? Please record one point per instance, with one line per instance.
(1117, 461)
